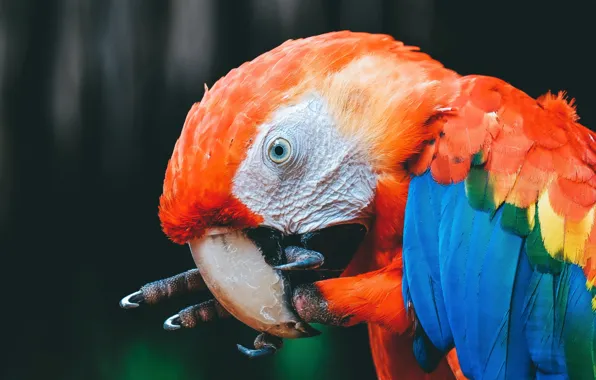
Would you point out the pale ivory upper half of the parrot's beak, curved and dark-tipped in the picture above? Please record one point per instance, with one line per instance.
(236, 273)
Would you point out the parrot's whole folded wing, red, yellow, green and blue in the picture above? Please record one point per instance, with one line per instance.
(500, 218)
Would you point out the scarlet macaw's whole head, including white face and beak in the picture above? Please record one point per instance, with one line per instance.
(293, 162)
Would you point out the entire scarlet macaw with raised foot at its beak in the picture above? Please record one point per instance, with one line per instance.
(349, 178)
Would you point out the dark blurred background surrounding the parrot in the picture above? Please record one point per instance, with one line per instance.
(93, 95)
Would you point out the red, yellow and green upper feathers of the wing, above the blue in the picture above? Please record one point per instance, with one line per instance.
(530, 157)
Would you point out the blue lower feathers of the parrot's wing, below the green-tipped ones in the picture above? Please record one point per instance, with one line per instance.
(509, 319)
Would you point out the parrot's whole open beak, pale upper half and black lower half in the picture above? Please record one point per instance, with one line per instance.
(252, 272)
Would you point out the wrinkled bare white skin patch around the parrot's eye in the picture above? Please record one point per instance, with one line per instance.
(326, 180)
